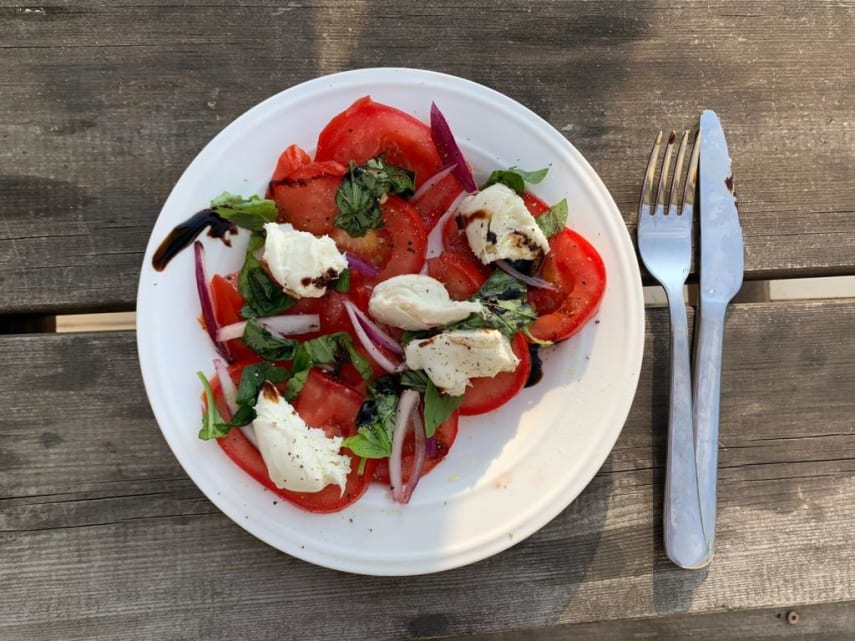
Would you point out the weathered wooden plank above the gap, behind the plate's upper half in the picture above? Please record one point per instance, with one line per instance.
(104, 104)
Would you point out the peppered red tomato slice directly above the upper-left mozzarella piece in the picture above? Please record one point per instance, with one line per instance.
(306, 196)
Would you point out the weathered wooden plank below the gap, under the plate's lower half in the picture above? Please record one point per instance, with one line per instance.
(103, 536)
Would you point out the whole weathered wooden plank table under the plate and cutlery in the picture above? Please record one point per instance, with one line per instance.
(102, 105)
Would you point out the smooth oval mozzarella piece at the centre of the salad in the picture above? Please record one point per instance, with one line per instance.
(416, 301)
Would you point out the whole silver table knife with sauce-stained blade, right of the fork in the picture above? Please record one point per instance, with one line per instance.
(721, 269)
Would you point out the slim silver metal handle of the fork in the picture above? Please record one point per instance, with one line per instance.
(684, 534)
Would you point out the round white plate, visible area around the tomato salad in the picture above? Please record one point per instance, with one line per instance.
(510, 472)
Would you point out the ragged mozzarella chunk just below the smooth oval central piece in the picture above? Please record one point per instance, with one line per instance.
(450, 359)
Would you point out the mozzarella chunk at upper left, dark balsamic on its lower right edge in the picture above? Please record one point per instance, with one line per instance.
(302, 263)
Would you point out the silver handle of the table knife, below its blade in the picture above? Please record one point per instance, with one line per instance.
(709, 340)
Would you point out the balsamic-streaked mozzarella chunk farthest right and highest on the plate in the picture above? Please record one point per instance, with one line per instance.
(499, 226)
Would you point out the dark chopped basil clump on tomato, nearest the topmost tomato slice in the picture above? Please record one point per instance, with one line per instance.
(358, 196)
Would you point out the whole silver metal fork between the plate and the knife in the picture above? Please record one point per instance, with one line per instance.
(665, 245)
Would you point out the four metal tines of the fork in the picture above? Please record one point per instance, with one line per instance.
(650, 206)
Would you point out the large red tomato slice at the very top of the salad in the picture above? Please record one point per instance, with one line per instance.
(367, 129)
